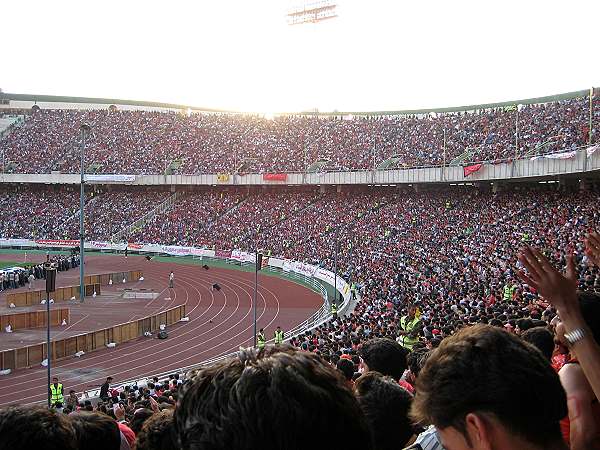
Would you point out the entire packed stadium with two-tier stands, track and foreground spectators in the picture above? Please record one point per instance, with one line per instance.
(175, 276)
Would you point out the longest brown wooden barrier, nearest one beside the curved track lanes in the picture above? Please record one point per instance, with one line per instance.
(33, 355)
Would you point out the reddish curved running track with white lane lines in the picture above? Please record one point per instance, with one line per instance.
(220, 322)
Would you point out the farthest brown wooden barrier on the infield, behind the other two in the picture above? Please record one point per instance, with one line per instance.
(93, 284)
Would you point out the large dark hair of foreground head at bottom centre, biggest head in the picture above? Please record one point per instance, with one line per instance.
(276, 398)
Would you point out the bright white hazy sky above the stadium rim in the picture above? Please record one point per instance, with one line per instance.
(241, 54)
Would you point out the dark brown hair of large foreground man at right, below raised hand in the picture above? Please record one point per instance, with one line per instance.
(484, 369)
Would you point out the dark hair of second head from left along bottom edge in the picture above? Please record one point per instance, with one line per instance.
(96, 431)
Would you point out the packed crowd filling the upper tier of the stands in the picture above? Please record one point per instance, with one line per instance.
(142, 142)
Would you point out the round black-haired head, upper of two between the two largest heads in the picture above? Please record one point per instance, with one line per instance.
(385, 356)
